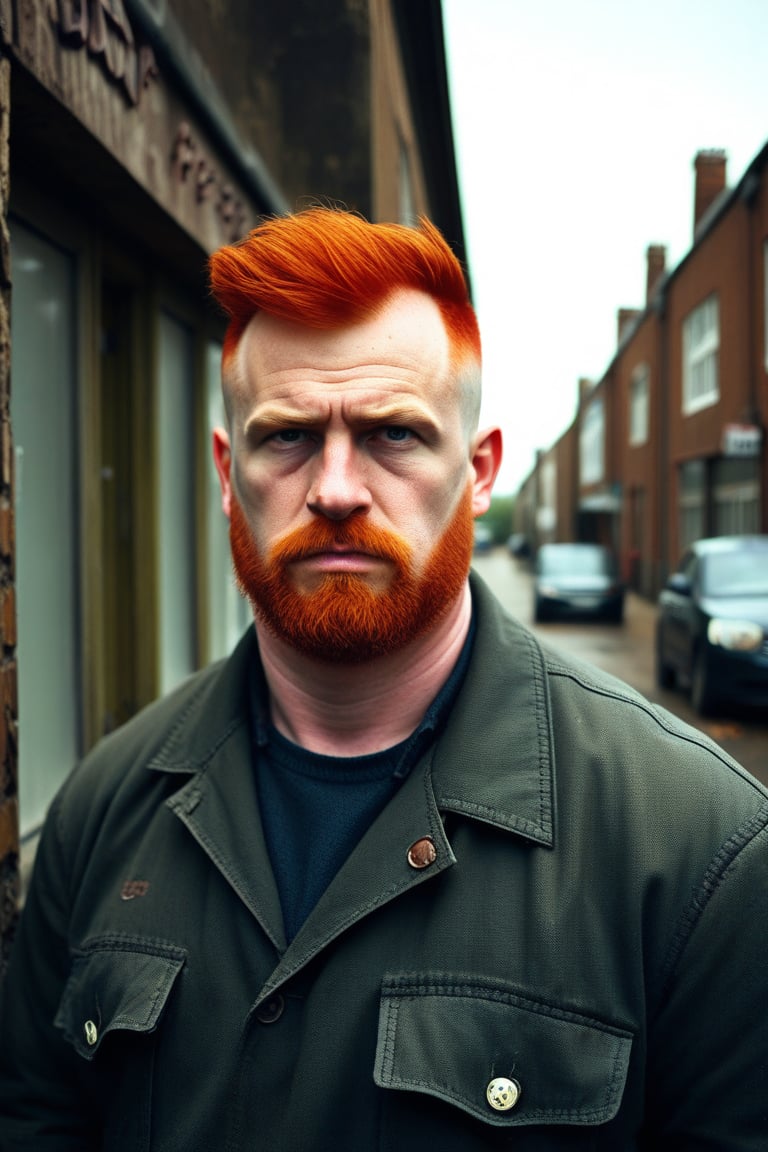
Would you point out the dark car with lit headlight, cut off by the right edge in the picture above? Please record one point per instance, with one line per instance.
(712, 630)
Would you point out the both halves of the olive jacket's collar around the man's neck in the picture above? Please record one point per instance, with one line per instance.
(493, 762)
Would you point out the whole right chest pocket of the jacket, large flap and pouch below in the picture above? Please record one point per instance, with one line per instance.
(503, 1063)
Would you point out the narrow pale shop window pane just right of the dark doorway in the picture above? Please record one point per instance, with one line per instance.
(177, 544)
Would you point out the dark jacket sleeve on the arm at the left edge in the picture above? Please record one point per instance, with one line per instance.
(42, 1106)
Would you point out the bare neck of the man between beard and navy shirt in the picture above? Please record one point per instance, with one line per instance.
(353, 710)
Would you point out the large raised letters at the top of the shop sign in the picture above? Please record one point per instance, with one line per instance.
(103, 29)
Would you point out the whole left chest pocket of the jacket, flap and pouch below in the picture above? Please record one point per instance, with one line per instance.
(110, 1012)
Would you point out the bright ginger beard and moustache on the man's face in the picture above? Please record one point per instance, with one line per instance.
(345, 620)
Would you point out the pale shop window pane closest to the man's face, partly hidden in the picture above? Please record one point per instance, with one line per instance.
(230, 613)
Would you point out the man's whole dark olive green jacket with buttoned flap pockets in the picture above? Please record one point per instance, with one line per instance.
(590, 933)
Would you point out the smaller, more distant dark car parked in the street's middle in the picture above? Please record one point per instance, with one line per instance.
(577, 580)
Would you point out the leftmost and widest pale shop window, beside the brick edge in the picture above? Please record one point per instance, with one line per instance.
(44, 365)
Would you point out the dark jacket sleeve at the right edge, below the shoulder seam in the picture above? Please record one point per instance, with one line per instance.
(709, 1059)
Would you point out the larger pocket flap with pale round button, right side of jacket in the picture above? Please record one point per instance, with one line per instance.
(451, 1039)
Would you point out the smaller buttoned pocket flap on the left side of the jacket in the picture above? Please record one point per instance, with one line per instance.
(117, 984)
